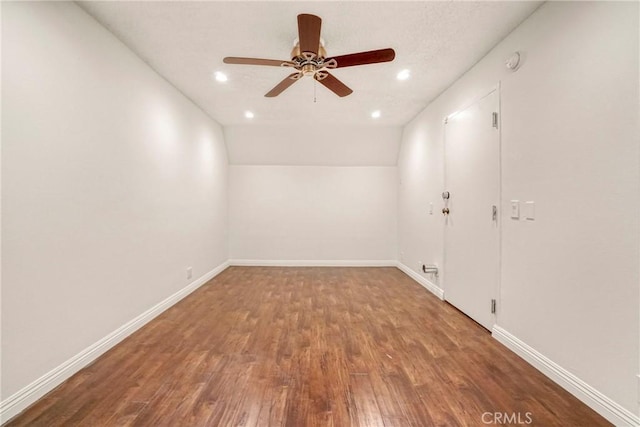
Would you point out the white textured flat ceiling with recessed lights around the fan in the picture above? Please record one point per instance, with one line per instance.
(186, 41)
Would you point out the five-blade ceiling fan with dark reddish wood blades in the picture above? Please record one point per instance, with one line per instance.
(309, 58)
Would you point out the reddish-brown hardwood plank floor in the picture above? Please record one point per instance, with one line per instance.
(270, 346)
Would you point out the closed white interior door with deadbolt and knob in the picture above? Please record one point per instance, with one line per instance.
(472, 234)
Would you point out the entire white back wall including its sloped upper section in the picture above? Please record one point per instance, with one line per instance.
(302, 195)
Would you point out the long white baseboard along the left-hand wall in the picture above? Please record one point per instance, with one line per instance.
(25, 397)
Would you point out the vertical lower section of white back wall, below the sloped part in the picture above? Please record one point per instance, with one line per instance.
(312, 213)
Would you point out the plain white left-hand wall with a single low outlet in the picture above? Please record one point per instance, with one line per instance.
(112, 183)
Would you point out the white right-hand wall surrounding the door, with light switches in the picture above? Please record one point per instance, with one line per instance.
(570, 279)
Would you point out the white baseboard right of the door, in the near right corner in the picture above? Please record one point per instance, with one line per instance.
(597, 401)
